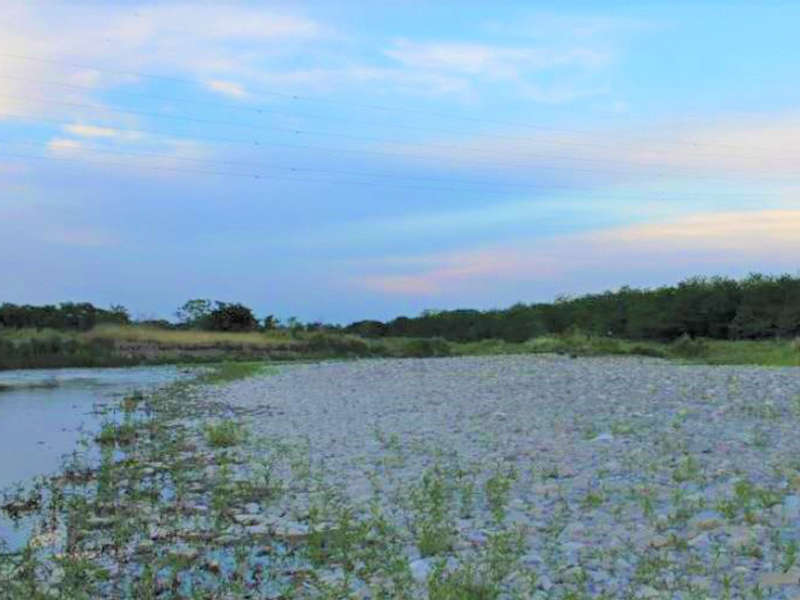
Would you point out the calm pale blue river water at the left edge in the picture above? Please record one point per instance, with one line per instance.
(45, 412)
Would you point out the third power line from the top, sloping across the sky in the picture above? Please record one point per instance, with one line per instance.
(298, 132)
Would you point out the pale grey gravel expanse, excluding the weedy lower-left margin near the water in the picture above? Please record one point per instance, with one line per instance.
(627, 475)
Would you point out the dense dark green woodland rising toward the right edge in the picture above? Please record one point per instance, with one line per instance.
(757, 307)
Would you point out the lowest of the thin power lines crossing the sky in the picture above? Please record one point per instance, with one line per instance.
(260, 176)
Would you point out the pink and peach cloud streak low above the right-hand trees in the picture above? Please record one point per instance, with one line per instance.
(707, 240)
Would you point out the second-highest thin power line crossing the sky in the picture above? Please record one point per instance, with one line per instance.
(427, 129)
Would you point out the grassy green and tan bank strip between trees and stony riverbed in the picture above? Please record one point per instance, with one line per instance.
(116, 346)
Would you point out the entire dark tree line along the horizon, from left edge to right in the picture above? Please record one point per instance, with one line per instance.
(756, 307)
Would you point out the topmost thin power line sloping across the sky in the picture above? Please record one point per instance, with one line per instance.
(297, 97)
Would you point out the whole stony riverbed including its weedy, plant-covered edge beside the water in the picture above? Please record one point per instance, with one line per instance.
(475, 478)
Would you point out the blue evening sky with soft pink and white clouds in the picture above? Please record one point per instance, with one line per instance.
(336, 161)
